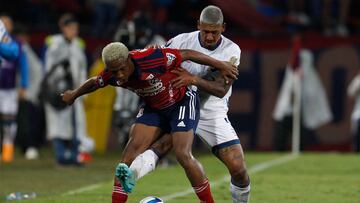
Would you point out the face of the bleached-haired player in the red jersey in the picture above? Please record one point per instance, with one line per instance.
(120, 70)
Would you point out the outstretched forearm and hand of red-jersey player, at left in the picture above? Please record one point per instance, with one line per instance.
(88, 86)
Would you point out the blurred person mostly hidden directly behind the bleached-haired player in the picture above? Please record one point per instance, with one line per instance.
(136, 33)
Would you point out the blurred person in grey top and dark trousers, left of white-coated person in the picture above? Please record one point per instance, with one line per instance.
(30, 116)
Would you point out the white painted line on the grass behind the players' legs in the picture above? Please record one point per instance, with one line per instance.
(254, 169)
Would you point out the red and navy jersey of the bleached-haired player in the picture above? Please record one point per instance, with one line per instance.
(151, 77)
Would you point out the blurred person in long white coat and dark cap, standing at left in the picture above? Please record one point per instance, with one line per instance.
(65, 65)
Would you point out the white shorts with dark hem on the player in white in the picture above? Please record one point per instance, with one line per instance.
(218, 133)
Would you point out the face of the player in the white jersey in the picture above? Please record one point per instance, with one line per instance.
(210, 34)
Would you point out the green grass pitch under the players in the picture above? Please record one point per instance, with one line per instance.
(308, 178)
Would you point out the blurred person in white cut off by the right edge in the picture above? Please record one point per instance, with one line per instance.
(354, 92)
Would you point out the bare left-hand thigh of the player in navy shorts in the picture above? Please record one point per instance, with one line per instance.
(141, 137)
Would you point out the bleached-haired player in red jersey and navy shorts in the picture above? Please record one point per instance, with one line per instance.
(167, 109)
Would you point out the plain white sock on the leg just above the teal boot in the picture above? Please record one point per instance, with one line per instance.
(144, 163)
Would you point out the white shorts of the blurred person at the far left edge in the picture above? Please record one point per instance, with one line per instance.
(8, 102)
